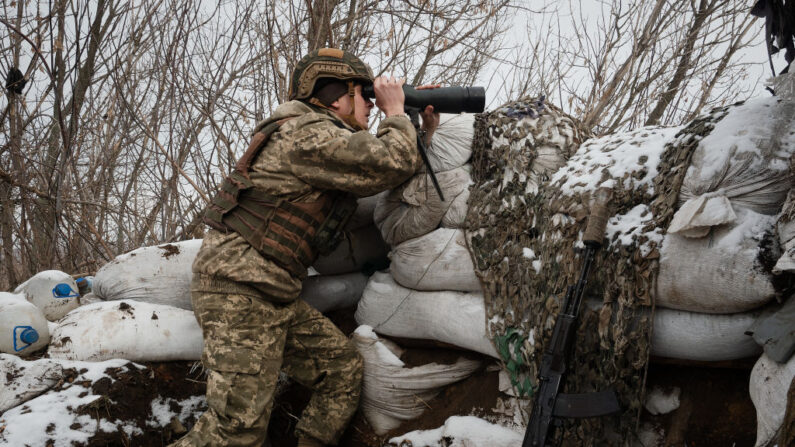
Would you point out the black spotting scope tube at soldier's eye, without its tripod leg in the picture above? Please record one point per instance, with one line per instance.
(443, 99)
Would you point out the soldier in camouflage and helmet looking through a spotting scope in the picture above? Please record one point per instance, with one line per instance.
(286, 202)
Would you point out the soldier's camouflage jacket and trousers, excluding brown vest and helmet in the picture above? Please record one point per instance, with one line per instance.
(247, 306)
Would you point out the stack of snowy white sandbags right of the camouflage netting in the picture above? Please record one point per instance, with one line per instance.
(721, 262)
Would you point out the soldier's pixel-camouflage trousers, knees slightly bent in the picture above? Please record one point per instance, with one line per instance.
(247, 341)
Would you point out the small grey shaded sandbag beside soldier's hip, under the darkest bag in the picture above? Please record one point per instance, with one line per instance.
(327, 293)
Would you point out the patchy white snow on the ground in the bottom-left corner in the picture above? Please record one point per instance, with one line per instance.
(50, 416)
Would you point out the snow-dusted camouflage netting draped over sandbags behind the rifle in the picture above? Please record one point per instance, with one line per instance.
(524, 229)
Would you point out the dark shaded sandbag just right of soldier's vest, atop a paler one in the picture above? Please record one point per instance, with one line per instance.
(362, 249)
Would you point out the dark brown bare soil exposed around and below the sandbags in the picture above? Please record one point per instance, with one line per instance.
(715, 408)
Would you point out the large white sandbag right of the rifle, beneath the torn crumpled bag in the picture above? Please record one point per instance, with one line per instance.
(721, 273)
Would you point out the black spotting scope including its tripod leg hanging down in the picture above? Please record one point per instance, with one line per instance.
(443, 100)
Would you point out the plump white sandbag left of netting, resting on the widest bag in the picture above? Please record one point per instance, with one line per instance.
(439, 260)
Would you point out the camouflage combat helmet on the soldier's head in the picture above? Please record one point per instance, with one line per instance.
(326, 63)
